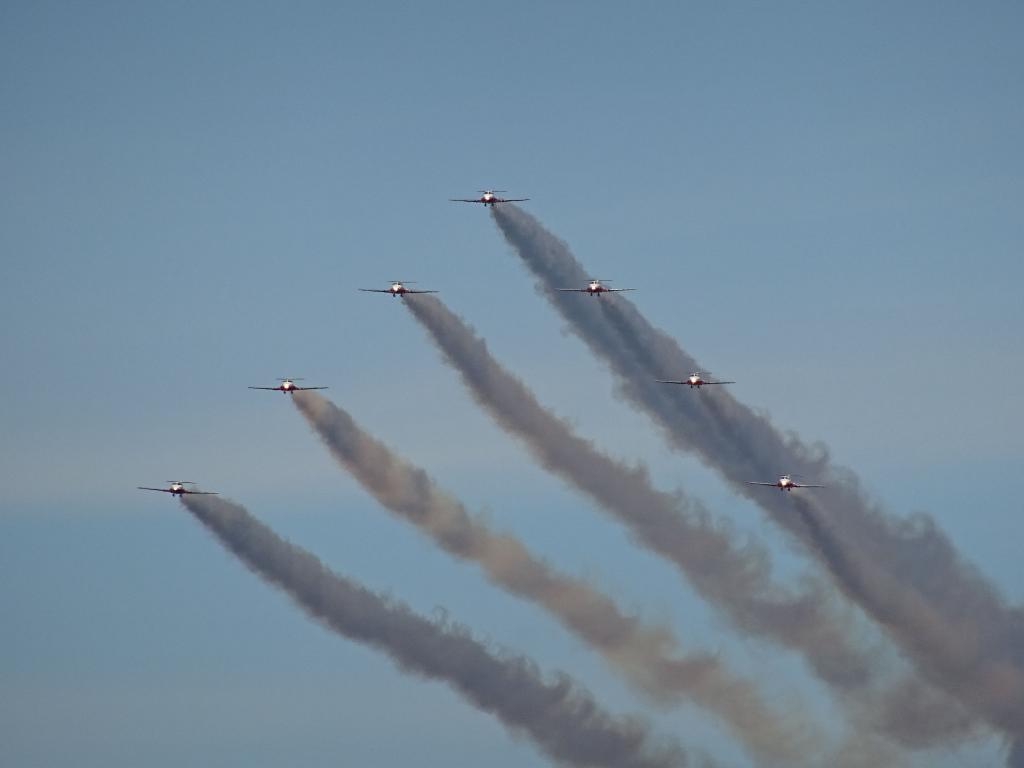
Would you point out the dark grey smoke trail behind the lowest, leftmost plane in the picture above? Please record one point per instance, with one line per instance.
(559, 715)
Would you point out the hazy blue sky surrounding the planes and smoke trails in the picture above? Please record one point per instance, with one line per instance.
(822, 201)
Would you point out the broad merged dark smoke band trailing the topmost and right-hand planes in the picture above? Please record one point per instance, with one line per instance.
(906, 574)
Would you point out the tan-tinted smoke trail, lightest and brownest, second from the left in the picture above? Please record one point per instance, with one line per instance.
(648, 656)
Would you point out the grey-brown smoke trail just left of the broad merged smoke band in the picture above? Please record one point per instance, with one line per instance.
(737, 580)
